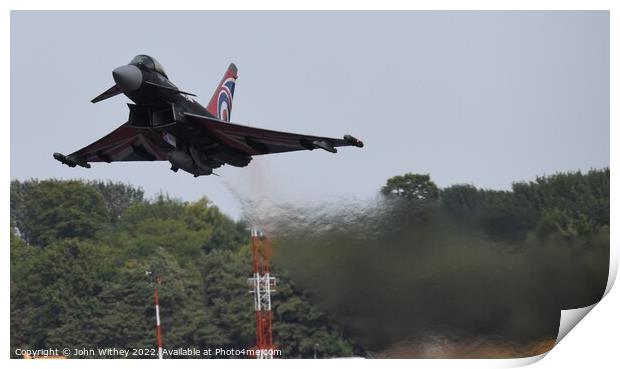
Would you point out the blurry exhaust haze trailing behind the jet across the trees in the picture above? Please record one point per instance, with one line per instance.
(398, 275)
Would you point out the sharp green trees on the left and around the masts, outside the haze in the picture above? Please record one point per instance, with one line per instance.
(79, 253)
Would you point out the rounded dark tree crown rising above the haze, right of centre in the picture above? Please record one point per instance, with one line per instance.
(417, 187)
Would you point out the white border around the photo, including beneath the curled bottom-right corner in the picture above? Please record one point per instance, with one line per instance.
(594, 343)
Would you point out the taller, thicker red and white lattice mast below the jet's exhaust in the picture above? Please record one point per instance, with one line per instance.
(262, 284)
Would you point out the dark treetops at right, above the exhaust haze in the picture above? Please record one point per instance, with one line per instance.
(560, 205)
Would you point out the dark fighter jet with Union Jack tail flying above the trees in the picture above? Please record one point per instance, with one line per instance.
(166, 123)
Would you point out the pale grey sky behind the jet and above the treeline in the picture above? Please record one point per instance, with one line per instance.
(470, 97)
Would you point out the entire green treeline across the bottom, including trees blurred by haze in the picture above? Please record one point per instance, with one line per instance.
(80, 250)
